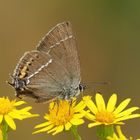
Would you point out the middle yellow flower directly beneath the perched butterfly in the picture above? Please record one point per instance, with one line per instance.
(62, 116)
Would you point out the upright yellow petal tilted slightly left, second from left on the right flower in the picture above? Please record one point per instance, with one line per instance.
(100, 102)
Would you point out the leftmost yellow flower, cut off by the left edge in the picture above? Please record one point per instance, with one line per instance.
(9, 111)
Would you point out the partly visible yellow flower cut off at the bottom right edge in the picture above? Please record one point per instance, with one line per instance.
(119, 135)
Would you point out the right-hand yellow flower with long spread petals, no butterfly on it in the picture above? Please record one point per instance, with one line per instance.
(110, 114)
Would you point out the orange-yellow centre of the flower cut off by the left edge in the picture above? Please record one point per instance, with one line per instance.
(6, 106)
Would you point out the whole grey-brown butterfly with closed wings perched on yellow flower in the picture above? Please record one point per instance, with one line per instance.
(52, 71)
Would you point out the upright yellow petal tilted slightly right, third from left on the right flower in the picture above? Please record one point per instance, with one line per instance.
(111, 103)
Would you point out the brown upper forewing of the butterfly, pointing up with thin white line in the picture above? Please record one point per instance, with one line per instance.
(61, 45)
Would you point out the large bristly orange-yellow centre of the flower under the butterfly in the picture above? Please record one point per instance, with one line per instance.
(61, 113)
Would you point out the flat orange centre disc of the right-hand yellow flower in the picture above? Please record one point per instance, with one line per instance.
(105, 117)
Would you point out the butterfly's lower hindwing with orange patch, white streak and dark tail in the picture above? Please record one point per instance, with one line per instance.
(33, 64)
